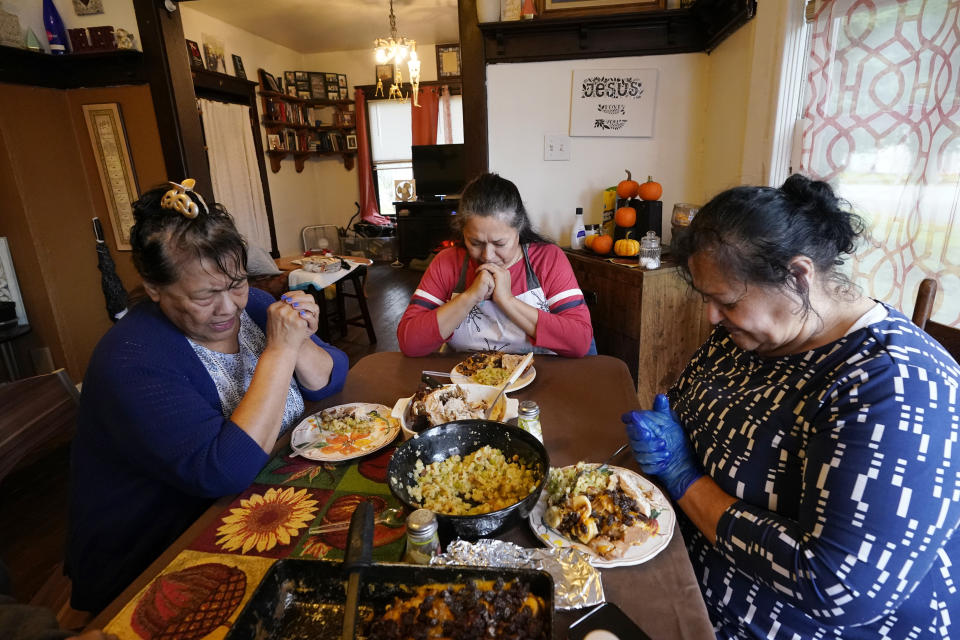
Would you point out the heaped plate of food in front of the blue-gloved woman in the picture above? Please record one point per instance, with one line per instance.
(614, 515)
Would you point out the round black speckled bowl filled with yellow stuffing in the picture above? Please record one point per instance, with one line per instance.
(478, 476)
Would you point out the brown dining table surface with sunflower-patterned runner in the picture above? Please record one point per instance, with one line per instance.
(218, 563)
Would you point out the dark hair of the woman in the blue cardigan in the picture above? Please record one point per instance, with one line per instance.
(162, 239)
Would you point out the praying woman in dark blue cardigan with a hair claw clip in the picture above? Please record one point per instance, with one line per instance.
(185, 397)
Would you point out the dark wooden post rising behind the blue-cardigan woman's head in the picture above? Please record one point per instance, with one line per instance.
(167, 68)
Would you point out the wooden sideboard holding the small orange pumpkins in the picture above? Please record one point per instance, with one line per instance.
(652, 320)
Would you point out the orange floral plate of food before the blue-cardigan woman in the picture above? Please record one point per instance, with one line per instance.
(344, 432)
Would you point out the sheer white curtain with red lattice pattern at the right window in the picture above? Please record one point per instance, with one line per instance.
(882, 124)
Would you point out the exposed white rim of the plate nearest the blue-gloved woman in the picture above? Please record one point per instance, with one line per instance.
(638, 553)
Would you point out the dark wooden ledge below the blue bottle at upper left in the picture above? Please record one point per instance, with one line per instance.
(37, 69)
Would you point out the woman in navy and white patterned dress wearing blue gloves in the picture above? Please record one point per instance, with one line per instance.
(814, 439)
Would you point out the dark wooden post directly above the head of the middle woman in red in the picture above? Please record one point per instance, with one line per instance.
(473, 76)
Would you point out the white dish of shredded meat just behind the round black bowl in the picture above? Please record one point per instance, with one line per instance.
(433, 406)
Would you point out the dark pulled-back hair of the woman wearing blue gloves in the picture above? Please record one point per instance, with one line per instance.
(756, 231)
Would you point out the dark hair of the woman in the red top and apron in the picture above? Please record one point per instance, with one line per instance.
(489, 195)
